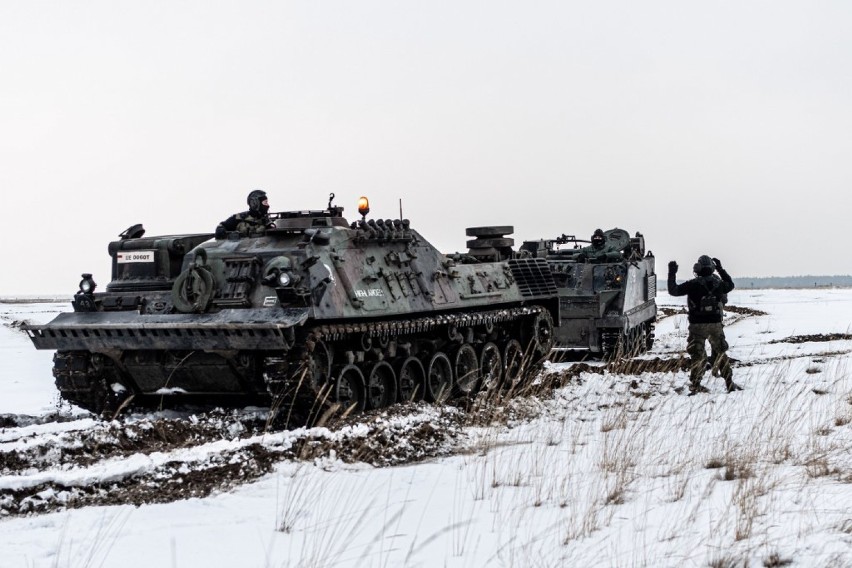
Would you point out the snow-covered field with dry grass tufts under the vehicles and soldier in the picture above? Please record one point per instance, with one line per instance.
(612, 469)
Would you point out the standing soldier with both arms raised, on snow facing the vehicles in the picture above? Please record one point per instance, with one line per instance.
(705, 294)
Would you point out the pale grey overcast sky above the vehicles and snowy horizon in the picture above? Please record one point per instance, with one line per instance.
(720, 128)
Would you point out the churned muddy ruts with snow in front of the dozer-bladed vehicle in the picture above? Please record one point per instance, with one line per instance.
(60, 465)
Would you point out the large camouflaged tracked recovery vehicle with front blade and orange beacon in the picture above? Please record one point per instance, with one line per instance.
(315, 311)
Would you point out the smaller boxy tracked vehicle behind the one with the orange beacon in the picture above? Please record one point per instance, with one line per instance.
(606, 293)
